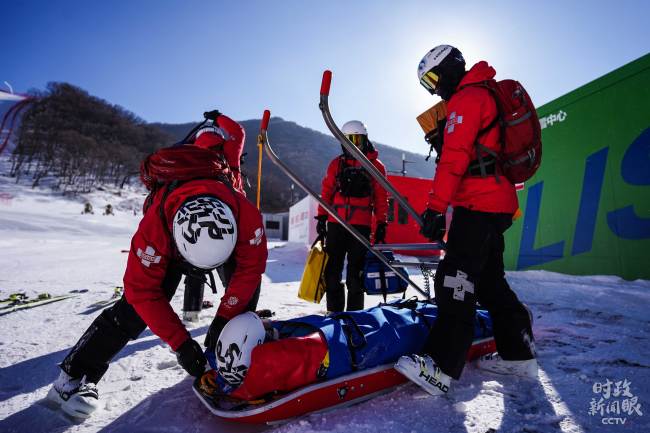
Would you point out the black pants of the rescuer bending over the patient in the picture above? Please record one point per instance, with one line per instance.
(115, 326)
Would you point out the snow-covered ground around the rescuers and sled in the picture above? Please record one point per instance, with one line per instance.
(588, 330)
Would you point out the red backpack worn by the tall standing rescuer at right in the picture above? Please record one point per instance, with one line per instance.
(521, 137)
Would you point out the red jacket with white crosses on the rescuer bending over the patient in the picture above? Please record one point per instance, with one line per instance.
(153, 250)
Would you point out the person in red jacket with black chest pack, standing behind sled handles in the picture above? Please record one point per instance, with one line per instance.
(356, 196)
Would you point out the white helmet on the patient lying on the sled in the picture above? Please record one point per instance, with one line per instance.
(235, 345)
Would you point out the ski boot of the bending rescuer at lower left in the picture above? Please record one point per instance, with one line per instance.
(76, 397)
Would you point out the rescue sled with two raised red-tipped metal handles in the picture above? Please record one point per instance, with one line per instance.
(364, 379)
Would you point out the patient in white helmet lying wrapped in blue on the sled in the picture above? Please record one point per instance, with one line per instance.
(254, 358)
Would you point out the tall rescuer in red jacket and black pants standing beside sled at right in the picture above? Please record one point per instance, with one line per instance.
(472, 270)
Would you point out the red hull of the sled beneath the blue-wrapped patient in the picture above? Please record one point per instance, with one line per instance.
(323, 396)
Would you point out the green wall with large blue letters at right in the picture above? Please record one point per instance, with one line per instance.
(587, 210)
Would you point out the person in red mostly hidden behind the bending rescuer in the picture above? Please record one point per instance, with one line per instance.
(225, 136)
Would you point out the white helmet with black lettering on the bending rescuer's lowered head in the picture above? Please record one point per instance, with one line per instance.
(205, 232)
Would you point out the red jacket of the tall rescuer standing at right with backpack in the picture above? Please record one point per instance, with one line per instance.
(470, 110)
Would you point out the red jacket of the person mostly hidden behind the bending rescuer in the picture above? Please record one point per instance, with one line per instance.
(232, 146)
